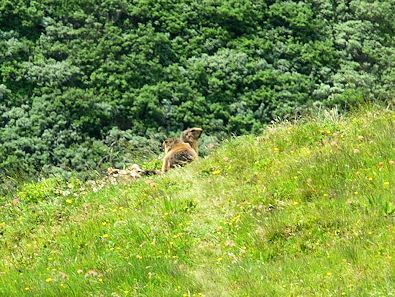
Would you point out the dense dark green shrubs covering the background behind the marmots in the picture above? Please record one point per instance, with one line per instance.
(84, 83)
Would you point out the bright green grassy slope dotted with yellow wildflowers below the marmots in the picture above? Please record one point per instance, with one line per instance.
(306, 209)
